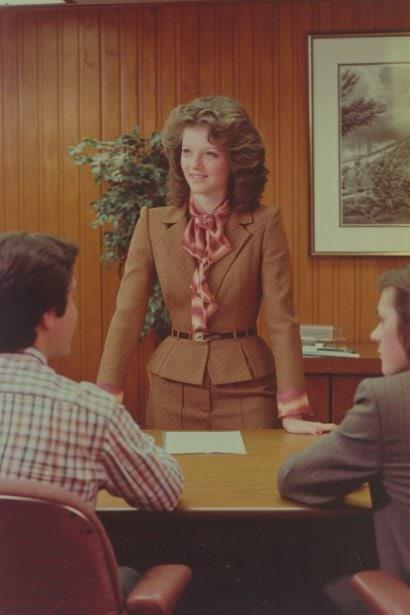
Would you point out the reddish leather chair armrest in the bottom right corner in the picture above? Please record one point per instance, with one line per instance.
(382, 592)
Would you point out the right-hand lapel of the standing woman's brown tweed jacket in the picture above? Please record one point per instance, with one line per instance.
(238, 235)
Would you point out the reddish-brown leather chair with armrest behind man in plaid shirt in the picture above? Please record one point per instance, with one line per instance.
(55, 558)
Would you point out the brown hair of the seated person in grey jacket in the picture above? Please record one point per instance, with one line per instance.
(399, 279)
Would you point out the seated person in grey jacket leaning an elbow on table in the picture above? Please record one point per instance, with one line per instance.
(371, 444)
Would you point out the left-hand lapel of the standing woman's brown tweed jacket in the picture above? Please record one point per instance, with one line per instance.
(173, 228)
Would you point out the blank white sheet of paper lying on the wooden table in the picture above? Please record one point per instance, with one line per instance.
(179, 442)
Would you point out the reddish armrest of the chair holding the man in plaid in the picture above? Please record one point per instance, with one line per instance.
(158, 590)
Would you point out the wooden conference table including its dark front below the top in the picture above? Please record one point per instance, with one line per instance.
(245, 544)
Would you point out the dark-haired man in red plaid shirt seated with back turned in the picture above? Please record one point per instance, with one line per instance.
(53, 429)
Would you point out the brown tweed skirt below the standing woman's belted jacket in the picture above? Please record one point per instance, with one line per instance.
(240, 405)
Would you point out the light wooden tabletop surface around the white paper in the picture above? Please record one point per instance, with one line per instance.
(228, 484)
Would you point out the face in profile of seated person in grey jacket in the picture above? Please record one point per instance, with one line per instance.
(392, 354)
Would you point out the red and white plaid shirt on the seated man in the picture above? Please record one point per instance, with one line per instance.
(75, 435)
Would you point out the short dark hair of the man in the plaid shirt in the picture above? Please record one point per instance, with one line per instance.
(35, 276)
